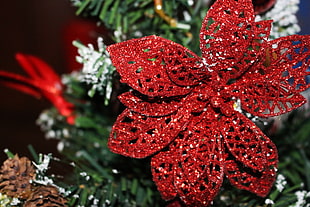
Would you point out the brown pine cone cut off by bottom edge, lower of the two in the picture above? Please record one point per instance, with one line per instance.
(45, 196)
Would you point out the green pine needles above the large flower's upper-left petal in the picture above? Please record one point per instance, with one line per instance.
(135, 18)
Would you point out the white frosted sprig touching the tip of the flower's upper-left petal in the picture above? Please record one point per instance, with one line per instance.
(97, 68)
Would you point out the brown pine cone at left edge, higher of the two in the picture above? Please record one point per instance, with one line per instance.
(15, 176)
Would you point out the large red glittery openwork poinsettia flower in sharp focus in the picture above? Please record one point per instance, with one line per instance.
(190, 112)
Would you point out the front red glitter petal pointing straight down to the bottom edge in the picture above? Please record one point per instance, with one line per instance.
(199, 174)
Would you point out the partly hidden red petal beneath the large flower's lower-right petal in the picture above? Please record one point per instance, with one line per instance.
(244, 178)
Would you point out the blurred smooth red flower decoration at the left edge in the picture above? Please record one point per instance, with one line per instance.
(42, 82)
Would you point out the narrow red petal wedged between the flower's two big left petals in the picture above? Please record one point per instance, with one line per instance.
(154, 107)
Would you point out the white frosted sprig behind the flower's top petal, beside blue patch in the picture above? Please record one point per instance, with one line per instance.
(284, 18)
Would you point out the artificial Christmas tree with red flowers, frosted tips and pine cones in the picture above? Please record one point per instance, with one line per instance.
(199, 121)
